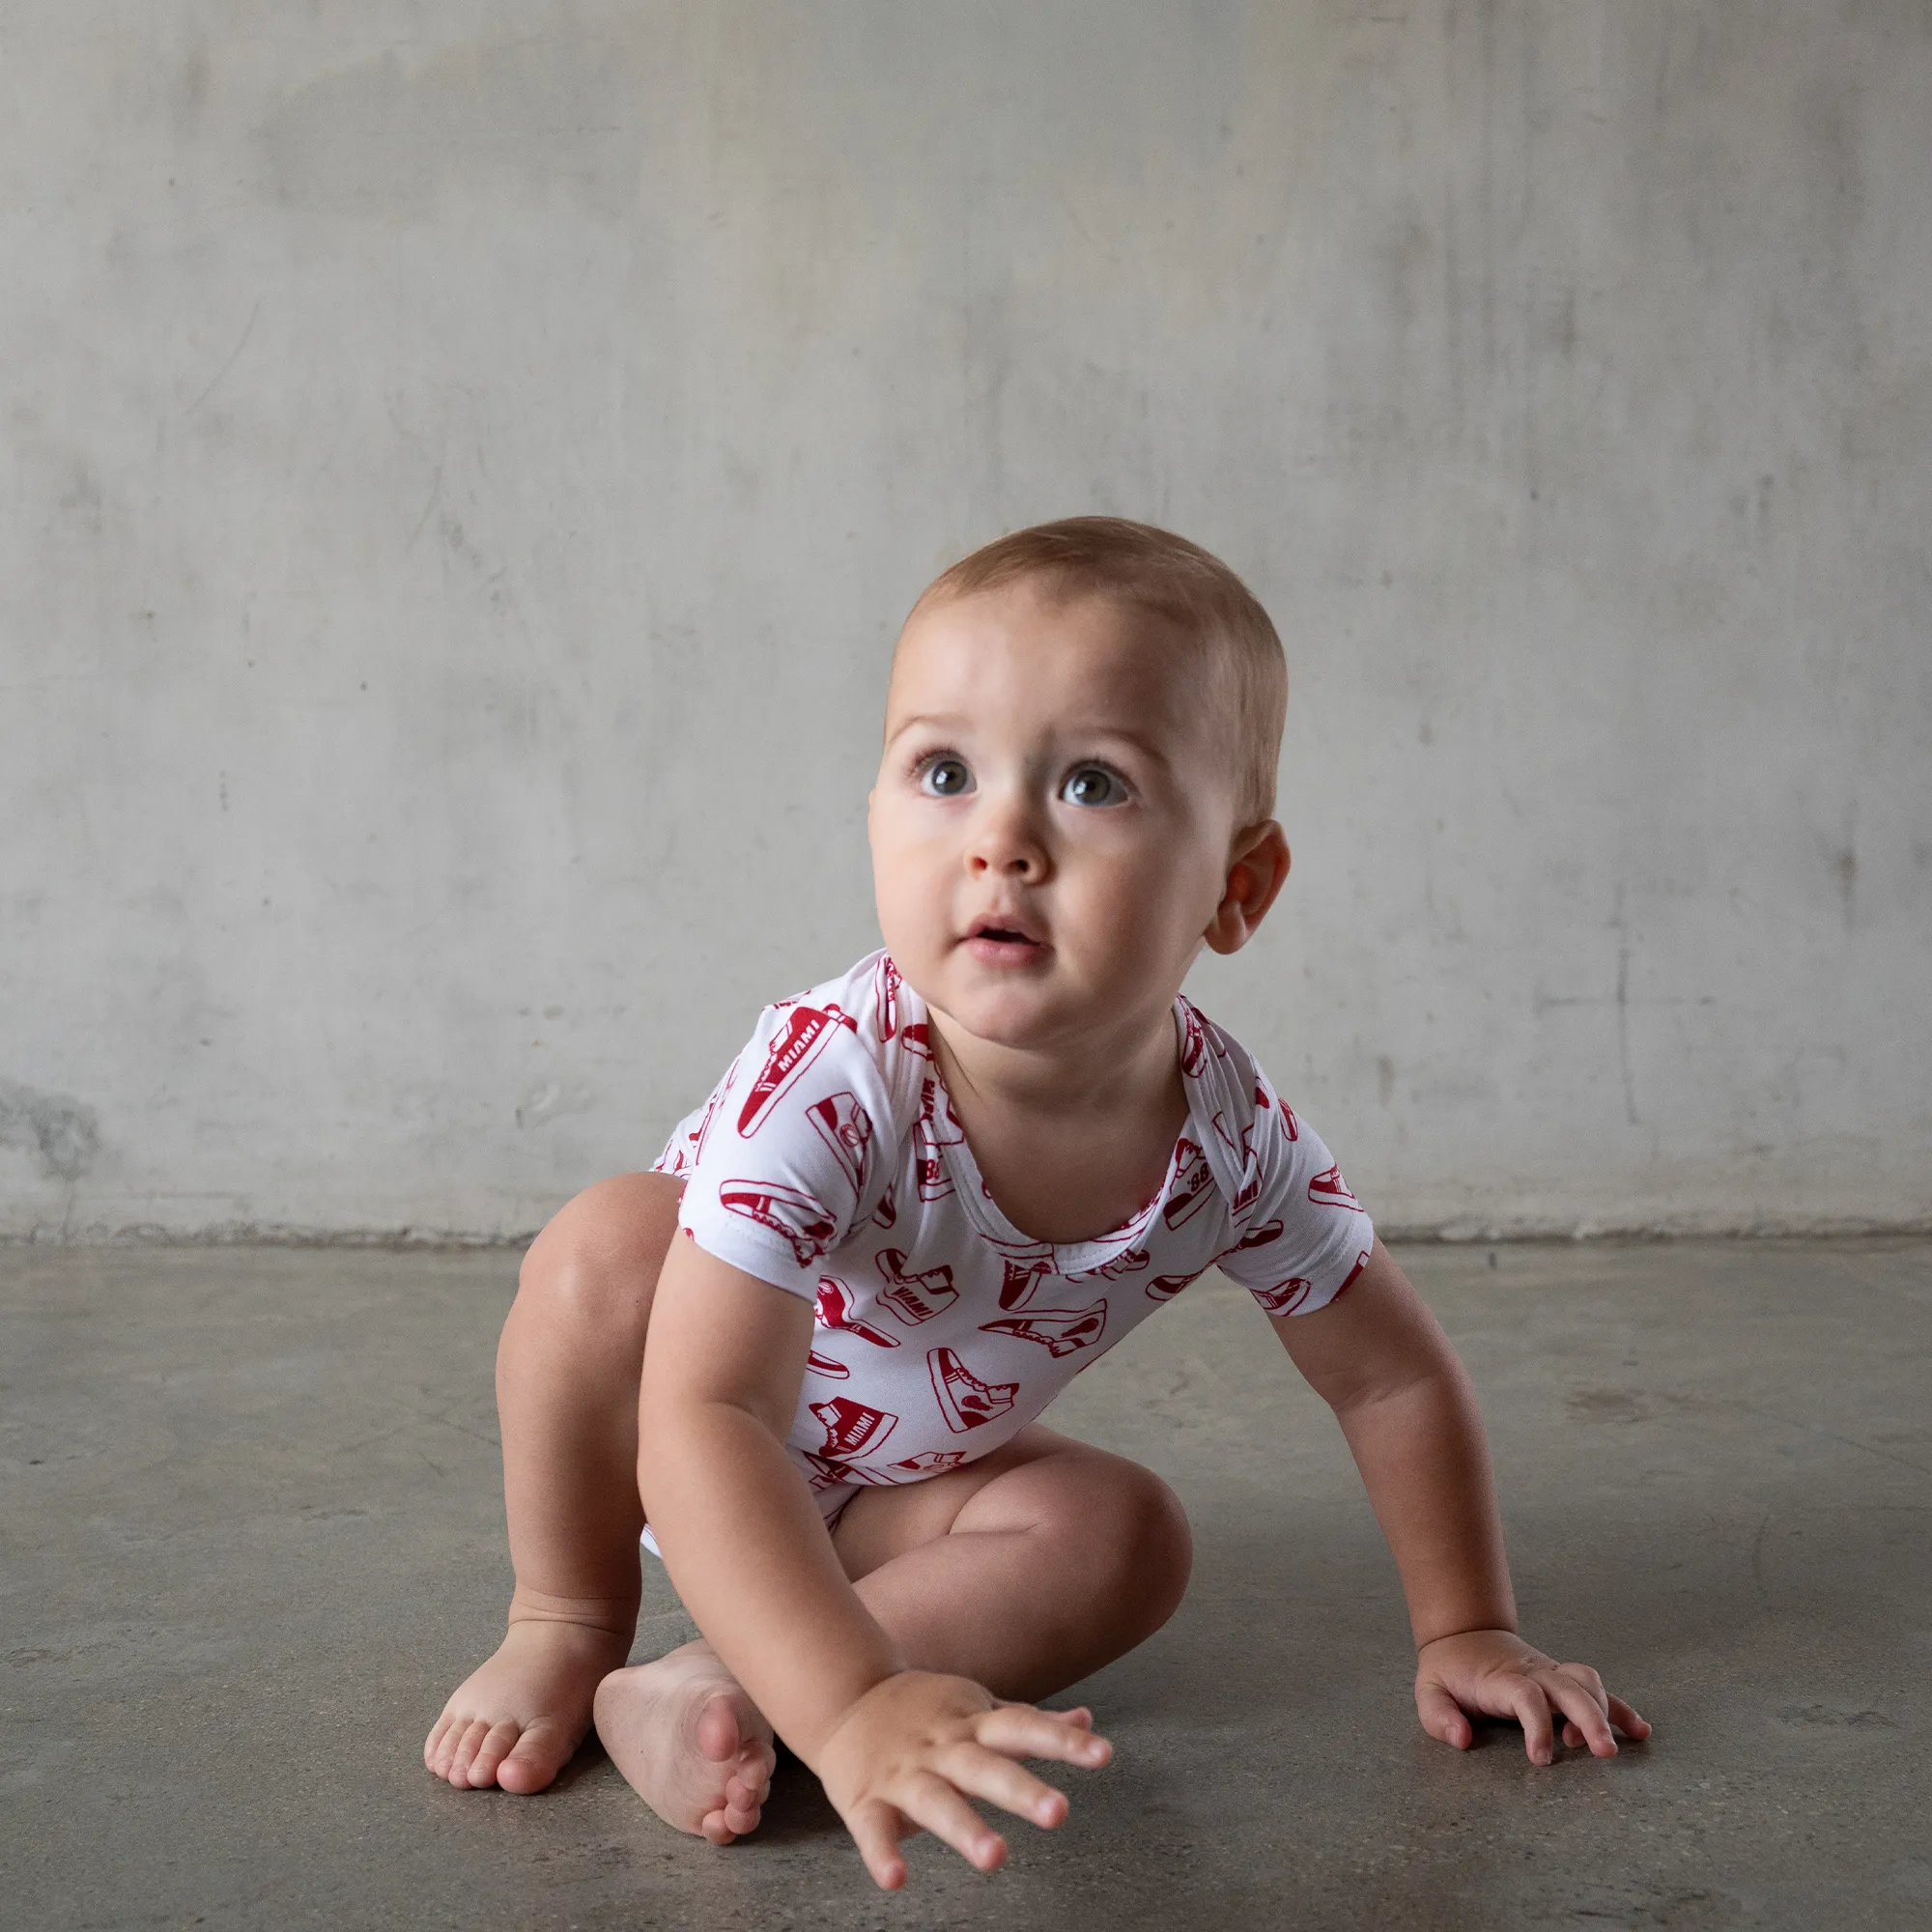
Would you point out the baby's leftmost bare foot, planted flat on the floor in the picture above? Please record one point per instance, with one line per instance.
(519, 1719)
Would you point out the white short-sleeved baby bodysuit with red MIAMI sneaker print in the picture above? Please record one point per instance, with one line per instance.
(830, 1164)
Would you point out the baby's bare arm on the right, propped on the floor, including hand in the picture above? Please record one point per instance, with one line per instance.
(1386, 1369)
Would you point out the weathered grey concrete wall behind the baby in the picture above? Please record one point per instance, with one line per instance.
(463, 467)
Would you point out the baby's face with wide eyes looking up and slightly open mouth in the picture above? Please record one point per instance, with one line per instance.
(1052, 822)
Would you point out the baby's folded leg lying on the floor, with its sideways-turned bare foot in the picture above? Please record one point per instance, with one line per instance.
(1025, 1572)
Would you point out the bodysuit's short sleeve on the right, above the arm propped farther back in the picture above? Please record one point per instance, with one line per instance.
(1303, 1237)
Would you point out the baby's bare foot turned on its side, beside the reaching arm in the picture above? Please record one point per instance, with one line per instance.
(695, 1747)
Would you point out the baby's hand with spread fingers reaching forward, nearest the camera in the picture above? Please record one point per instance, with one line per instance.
(907, 1751)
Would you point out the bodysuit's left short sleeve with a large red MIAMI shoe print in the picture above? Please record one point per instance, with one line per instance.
(789, 1151)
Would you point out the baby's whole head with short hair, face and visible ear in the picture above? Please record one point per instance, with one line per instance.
(1079, 772)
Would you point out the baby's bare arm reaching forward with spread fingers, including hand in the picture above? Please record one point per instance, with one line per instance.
(743, 1541)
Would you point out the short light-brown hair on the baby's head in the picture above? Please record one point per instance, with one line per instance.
(1174, 581)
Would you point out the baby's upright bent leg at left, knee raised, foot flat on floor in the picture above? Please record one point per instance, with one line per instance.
(567, 1396)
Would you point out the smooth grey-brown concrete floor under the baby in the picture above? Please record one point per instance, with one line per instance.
(252, 1537)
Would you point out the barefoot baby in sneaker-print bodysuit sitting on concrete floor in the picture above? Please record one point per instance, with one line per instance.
(926, 1197)
